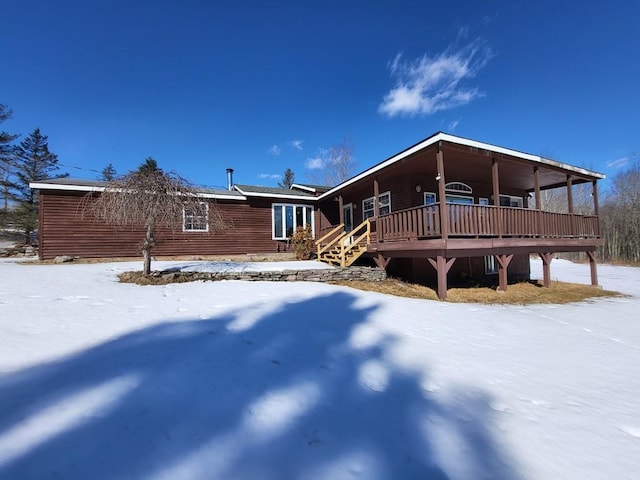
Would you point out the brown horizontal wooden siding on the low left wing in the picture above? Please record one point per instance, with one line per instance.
(66, 230)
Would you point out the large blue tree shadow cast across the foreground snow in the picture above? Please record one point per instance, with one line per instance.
(307, 391)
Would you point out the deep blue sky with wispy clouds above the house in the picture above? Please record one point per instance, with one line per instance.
(264, 86)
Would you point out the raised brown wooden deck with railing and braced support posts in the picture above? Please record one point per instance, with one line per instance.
(479, 230)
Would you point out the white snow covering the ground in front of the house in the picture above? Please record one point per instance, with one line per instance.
(256, 380)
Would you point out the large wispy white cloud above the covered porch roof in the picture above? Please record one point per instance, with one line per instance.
(429, 84)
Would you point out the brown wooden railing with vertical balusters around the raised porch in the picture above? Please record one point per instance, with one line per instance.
(485, 221)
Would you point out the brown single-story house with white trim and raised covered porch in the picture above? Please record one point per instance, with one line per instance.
(444, 208)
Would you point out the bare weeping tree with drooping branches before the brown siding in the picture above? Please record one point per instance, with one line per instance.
(149, 197)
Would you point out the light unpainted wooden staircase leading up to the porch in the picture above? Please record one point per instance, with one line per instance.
(343, 248)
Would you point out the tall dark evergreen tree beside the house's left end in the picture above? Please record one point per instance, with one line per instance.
(33, 162)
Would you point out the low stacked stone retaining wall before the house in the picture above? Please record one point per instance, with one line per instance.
(365, 274)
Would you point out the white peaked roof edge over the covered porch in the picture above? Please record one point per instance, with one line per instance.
(461, 141)
